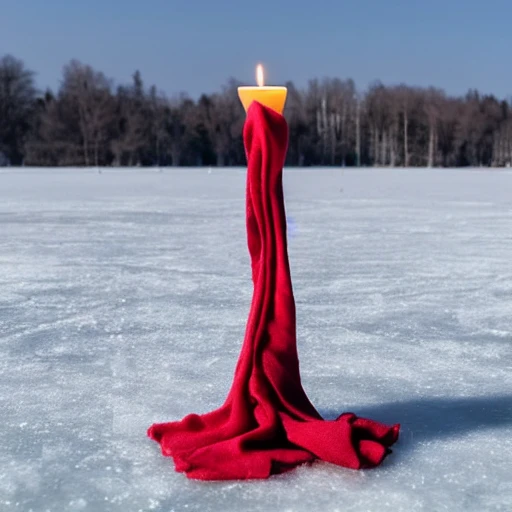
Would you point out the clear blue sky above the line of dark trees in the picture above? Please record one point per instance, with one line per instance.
(196, 45)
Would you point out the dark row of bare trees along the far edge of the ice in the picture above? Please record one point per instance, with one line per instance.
(89, 122)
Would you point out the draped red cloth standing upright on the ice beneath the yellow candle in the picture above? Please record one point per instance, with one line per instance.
(267, 424)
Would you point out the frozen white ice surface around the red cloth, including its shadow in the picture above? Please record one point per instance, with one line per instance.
(123, 301)
